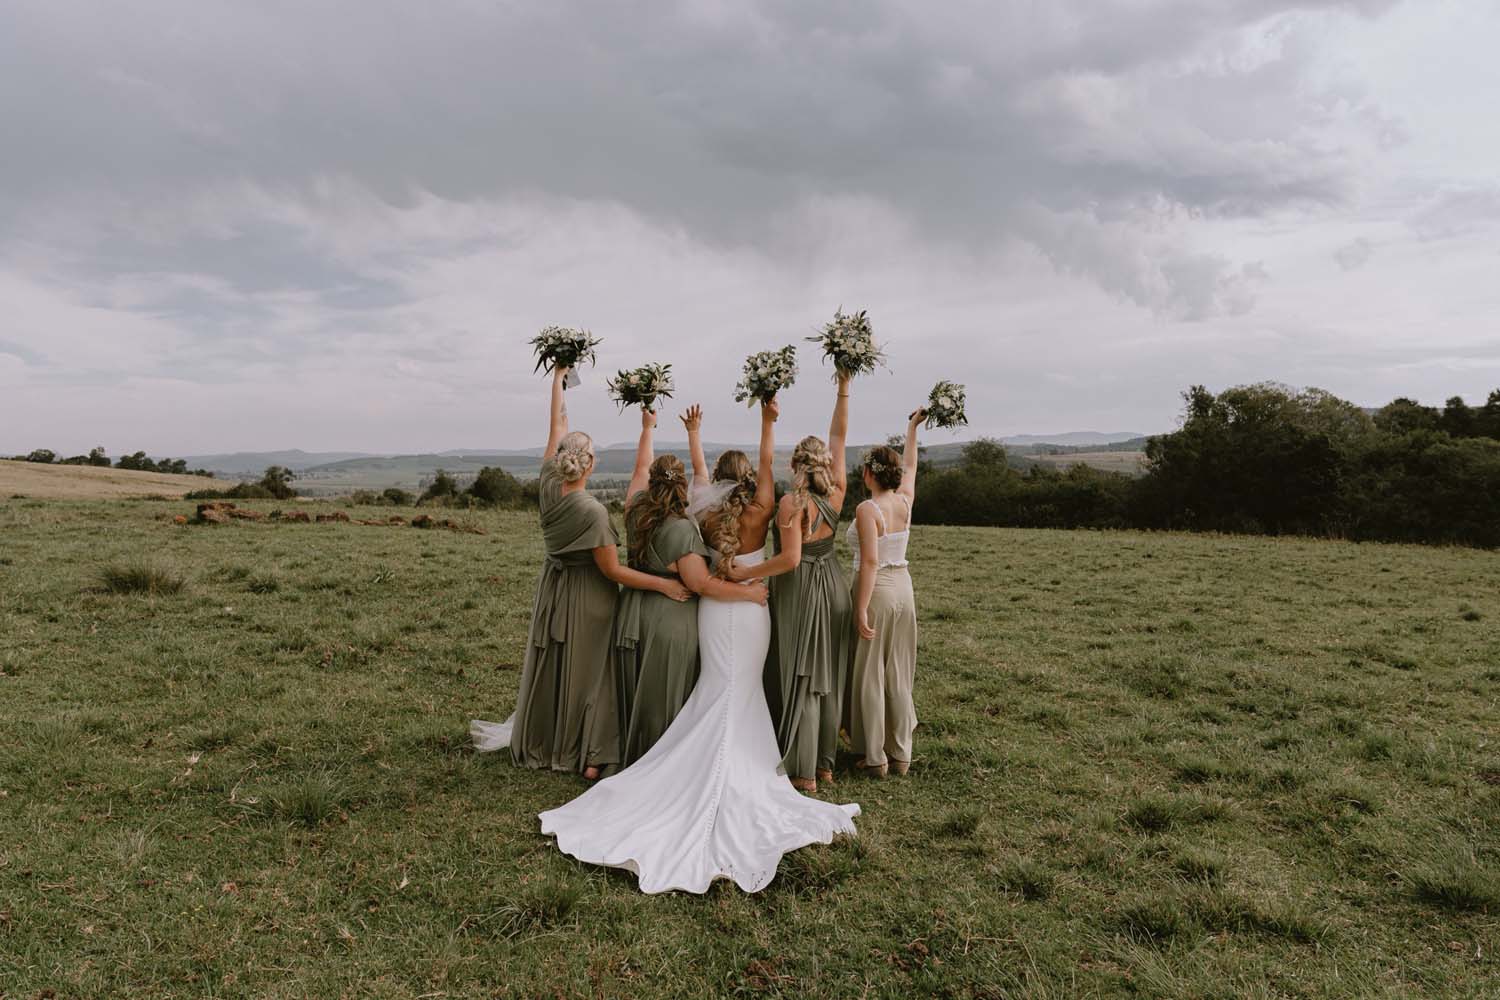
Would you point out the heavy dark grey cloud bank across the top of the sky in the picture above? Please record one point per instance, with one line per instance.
(715, 118)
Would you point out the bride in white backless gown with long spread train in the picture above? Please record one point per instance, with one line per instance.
(710, 801)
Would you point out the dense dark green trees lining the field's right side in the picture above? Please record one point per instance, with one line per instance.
(1259, 460)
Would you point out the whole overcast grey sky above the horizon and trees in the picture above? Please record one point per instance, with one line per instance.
(335, 224)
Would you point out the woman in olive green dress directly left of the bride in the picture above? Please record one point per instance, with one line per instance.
(656, 639)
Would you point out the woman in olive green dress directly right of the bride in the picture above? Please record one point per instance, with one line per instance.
(811, 606)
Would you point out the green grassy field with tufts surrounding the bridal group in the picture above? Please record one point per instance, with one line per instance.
(1148, 767)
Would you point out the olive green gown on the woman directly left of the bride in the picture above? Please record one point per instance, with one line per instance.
(656, 641)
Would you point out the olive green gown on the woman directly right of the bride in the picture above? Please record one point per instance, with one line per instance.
(814, 623)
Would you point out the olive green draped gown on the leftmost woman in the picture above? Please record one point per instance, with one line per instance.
(568, 713)
